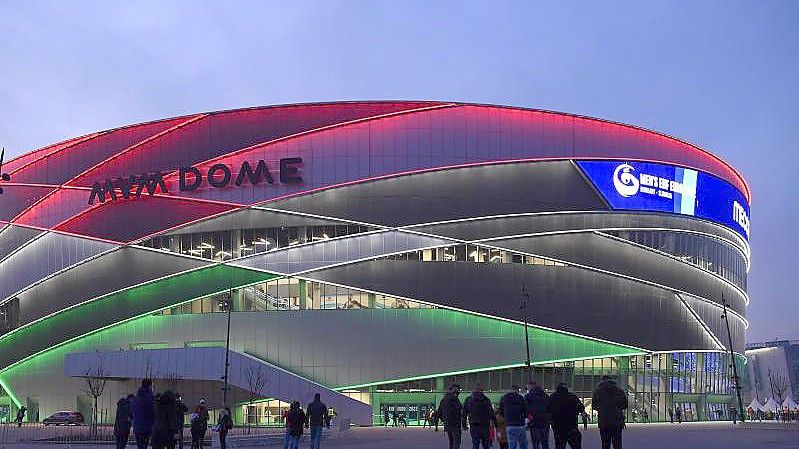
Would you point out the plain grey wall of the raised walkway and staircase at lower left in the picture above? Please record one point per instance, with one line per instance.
(207, 364)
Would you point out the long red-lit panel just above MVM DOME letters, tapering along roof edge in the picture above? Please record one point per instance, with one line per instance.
(221, 133)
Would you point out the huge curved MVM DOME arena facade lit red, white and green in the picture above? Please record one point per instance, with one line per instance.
(376, 250)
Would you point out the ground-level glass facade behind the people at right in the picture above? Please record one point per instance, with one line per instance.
(699, 383)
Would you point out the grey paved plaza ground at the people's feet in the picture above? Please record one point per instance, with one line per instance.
(649, 436)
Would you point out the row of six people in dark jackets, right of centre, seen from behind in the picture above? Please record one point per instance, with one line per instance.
(535, 413)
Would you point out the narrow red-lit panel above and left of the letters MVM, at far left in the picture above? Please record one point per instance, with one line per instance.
(61, 166)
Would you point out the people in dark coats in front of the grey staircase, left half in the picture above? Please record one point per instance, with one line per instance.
(158, 420)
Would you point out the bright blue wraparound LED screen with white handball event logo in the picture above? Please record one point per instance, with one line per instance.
(666, 188)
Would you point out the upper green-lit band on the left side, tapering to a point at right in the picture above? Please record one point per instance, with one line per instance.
(42, 335)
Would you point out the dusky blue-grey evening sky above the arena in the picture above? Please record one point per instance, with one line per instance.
(721, 74)
